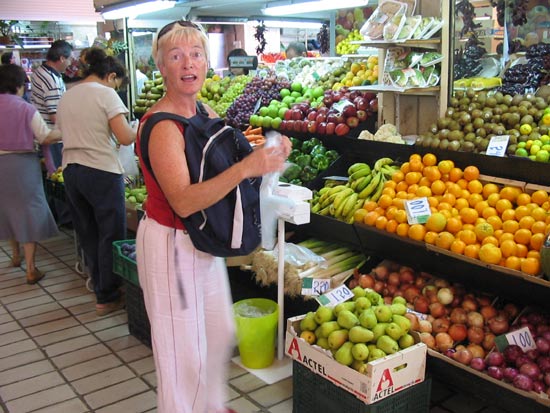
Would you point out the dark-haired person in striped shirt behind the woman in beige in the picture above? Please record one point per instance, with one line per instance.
(47, 86)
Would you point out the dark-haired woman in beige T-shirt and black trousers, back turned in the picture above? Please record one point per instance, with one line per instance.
(92, 119)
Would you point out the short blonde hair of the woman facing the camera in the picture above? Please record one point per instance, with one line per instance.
(179, 30)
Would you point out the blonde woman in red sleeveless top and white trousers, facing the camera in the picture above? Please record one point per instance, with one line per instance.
(186, 291)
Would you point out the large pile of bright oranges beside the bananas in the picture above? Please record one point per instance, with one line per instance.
(497, 224)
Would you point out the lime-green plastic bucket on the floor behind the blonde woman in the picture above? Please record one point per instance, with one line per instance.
(256, 322)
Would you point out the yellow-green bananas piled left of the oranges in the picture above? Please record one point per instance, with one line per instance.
(342, 200)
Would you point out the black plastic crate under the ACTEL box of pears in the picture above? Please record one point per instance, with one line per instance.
(315, 394)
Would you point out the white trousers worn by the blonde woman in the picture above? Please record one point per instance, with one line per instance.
(188, 301)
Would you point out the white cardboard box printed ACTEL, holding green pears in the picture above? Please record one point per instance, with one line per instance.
(385, 376)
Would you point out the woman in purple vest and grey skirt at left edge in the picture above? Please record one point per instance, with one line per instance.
(24, 214)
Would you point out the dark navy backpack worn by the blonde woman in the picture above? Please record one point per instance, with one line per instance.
(231, 227)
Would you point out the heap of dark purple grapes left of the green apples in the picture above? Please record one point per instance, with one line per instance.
(264, 89)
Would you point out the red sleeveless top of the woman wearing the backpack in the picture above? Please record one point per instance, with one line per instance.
(157, 206)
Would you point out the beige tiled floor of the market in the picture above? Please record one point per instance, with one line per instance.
(56, 355)
